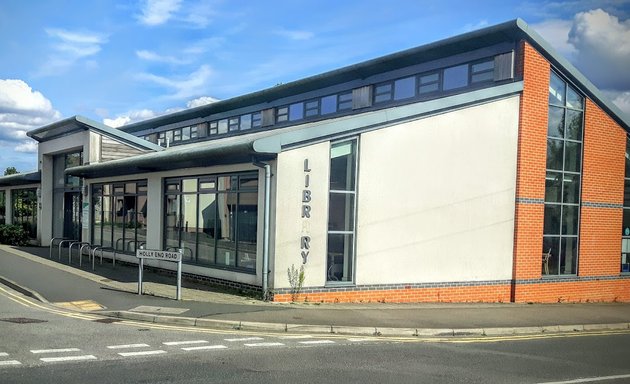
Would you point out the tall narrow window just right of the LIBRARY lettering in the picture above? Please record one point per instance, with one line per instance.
(341, 211)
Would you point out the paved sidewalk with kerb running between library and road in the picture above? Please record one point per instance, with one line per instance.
(114, 292)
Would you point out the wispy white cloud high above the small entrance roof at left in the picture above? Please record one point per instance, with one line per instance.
(69, 47)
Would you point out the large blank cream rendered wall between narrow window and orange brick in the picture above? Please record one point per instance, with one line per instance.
(436, 197)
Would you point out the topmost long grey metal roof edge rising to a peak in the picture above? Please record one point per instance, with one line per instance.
(509, 31)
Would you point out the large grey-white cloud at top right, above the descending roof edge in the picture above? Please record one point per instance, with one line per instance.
(602, 42)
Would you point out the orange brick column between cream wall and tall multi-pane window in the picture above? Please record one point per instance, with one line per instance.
(531, 164)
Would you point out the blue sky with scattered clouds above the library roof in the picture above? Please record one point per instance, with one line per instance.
(120, 61)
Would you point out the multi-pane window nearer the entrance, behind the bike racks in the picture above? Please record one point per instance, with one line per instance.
(120, 215)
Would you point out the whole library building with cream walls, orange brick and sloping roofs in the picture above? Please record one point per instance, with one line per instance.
(480, 168)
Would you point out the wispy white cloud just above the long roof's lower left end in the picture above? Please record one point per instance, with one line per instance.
(184, 87)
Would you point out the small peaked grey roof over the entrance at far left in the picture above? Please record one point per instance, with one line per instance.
(79, 123)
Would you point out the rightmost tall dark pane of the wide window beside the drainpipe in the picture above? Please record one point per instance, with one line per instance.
(247, 229)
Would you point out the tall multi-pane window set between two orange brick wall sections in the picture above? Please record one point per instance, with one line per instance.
(562, 182)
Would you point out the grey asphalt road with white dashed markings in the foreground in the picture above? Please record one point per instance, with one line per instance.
(40, 344)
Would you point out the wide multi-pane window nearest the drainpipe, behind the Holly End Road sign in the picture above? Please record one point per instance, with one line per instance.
(214, 219)
